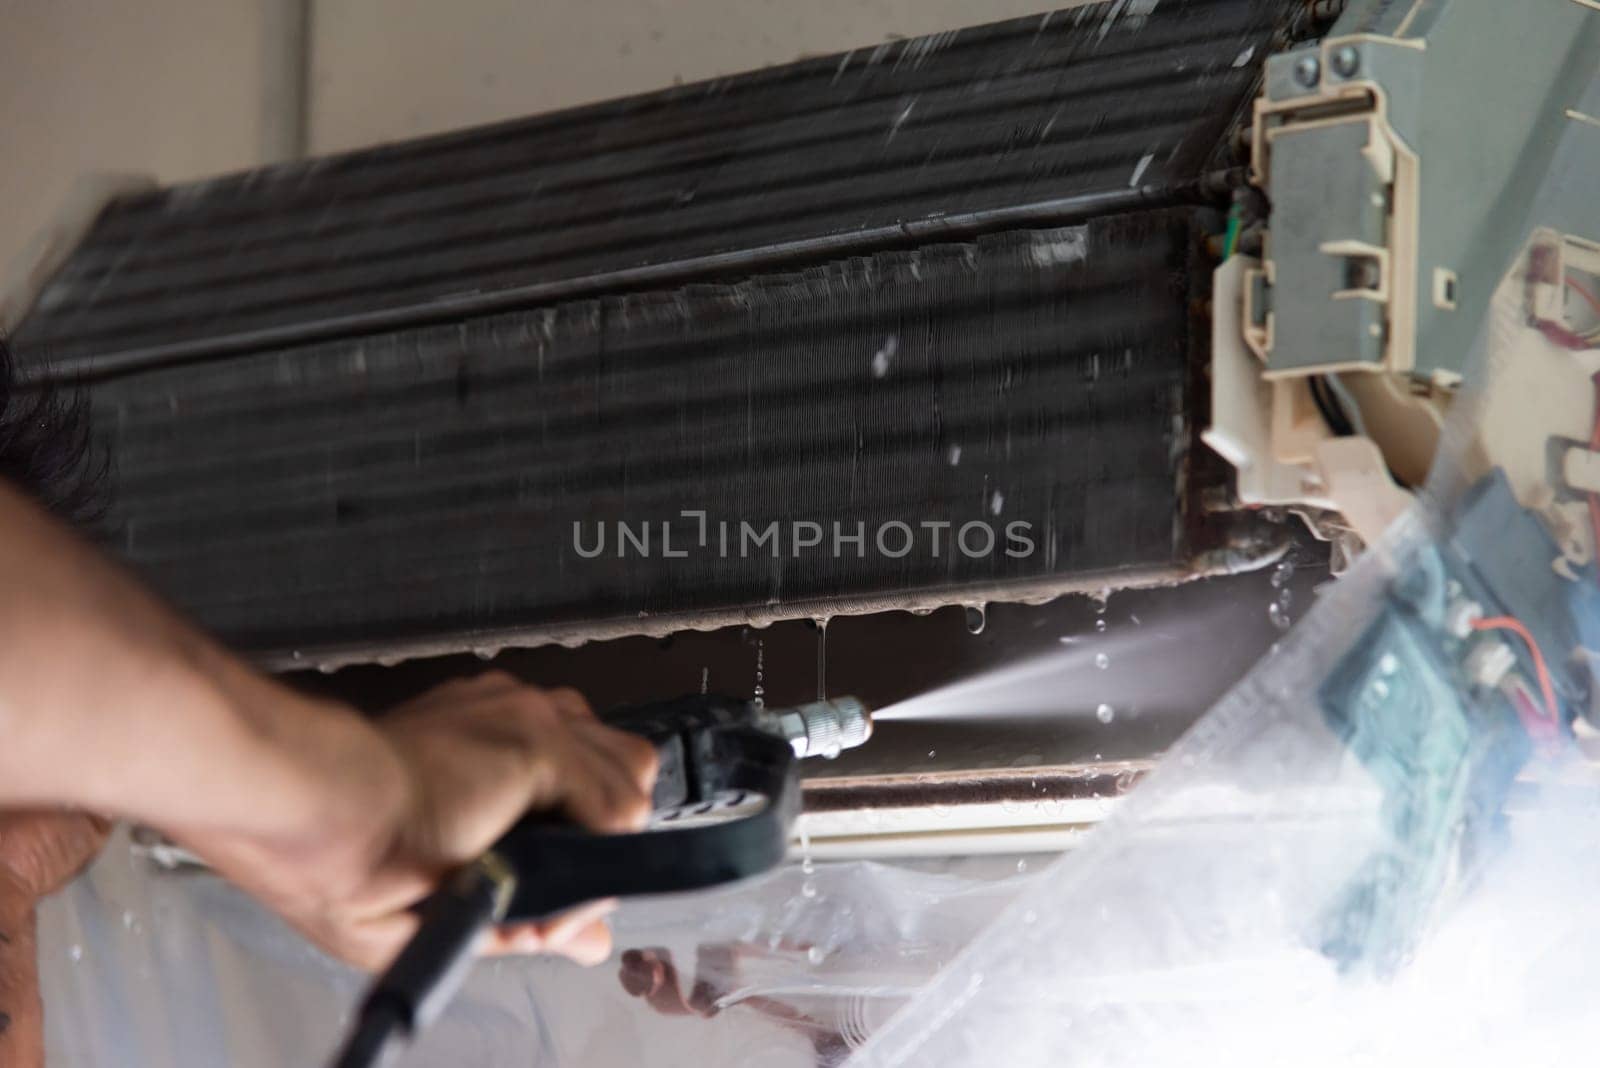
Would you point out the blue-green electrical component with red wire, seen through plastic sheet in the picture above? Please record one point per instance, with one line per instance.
(1433, 701)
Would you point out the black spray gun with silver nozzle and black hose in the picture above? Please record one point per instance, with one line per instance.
(722, 810)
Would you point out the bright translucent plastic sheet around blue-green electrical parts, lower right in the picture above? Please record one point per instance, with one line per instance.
(1193, 927)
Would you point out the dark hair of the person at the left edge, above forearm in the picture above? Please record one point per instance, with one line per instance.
(47, 447)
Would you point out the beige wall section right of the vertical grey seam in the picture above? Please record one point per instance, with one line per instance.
(388, 70)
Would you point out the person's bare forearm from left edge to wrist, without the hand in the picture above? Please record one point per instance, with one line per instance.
(111, 703)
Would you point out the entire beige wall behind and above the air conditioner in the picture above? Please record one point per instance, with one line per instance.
(183, 89)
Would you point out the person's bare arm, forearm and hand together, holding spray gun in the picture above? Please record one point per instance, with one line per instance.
(111, 703)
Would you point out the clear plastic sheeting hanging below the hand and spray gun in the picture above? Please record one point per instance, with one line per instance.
(146, 968)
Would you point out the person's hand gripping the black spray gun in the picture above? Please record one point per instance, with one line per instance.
(470, 759)
